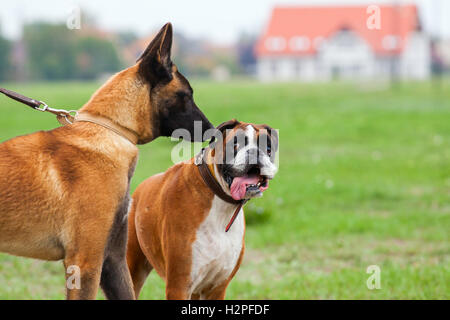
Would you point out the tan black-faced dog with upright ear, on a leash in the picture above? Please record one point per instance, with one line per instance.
(64, 193)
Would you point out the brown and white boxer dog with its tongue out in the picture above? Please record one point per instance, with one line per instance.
(181, 221)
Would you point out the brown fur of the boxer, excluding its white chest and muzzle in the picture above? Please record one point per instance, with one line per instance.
(166, 213)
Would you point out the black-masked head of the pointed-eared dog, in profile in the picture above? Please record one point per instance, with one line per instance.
(171, 95)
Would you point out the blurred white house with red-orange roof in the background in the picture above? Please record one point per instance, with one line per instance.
(344, 42)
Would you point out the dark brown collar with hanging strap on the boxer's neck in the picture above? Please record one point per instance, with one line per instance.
(215, 187)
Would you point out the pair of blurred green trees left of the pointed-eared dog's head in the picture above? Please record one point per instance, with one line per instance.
(56, 53)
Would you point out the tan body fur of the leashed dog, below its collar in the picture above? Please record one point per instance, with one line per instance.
(60, 191)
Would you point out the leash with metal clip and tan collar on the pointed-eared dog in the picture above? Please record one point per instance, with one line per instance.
(65, 117)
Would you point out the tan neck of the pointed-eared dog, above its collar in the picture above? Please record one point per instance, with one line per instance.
(125, 100)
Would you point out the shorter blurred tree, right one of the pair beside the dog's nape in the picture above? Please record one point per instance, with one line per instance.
(96, 56)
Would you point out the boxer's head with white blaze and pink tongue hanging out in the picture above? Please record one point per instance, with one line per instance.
(245, 157)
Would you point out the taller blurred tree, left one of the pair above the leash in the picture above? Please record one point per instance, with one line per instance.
(51, 51)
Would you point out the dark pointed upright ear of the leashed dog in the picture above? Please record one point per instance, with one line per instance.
(155, 64)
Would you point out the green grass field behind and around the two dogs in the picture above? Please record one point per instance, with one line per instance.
(364, 180)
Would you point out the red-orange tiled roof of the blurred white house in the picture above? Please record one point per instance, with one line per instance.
(314, 23)
